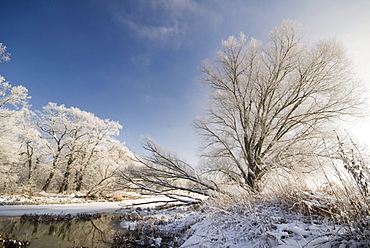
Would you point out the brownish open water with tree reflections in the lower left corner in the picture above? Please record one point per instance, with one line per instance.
(87, 233)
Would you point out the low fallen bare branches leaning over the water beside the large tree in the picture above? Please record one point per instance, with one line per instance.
(163, 173)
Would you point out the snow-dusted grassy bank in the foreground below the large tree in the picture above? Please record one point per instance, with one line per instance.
(260, 225)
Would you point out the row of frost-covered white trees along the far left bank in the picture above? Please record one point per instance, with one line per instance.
(57, 149)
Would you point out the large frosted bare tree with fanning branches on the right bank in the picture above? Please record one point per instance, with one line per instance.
(269, 101)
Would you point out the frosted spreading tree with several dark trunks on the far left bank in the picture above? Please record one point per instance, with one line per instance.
(73, 136)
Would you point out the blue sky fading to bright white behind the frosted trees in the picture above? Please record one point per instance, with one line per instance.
(137, 62)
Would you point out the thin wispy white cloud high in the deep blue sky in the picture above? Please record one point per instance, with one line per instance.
(169, 22)
